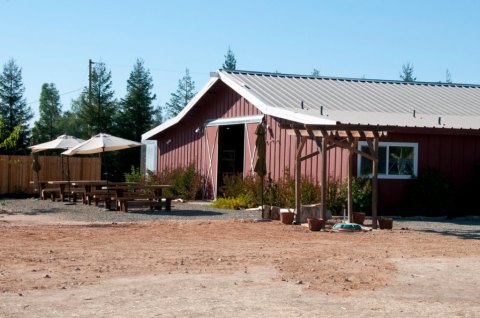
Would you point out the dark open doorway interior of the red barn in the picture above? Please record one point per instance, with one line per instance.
(230, 151)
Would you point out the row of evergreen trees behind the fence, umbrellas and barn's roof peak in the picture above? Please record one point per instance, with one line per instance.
(95, 110)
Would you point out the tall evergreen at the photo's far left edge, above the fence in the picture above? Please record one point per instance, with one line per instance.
(13, 106)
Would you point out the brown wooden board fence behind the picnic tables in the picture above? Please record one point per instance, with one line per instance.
(16, 171)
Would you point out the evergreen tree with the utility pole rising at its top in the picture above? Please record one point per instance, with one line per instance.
(97, 115)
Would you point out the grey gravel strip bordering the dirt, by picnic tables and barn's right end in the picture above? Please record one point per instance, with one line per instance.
(467, 227)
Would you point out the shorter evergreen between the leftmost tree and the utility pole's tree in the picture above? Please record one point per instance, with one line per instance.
(47, 126)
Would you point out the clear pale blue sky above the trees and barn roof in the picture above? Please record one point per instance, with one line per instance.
(52, 41)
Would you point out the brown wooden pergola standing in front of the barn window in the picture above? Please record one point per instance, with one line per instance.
(329, 137)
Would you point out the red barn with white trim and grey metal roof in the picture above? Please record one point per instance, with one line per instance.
(430, 125)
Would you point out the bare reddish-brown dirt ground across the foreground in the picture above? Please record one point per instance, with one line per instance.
(232, 268)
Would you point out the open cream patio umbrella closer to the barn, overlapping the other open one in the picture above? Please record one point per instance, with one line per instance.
(101, 143)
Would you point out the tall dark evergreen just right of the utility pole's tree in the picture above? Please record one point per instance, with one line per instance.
(136, 110)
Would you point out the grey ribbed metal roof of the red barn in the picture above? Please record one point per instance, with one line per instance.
(361, 101)
